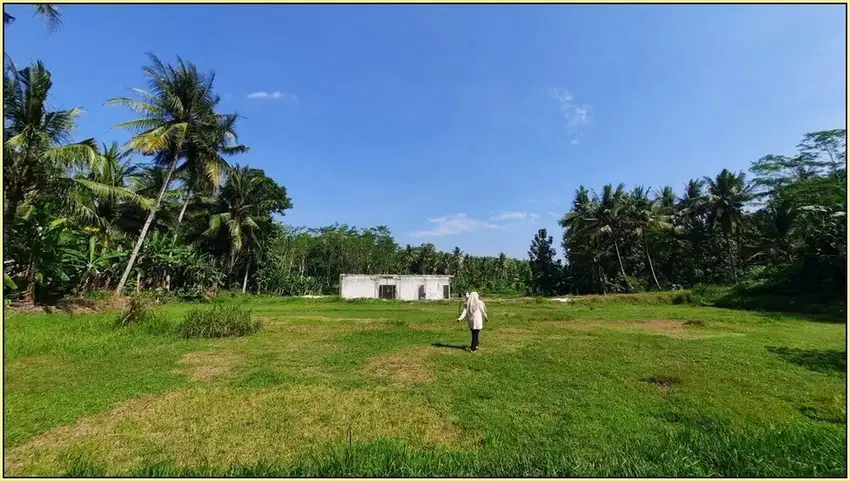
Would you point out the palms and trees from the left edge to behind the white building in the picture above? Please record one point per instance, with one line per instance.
(168, 211)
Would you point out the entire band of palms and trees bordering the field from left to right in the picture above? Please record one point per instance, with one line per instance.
(169, 210)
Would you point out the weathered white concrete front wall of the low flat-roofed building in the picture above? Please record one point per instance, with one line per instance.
(407, 287)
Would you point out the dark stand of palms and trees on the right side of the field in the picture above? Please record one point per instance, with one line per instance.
(784, 229)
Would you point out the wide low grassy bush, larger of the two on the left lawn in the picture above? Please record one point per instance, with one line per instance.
(218, 321)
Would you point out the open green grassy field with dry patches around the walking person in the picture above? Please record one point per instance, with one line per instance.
(602, 387)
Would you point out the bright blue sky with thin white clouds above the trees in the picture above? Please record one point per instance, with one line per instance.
(468, 125)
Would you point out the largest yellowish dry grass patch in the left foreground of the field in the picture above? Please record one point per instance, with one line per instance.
(224, 426)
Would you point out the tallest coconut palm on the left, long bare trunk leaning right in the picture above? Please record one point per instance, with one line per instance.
(177, 110)
